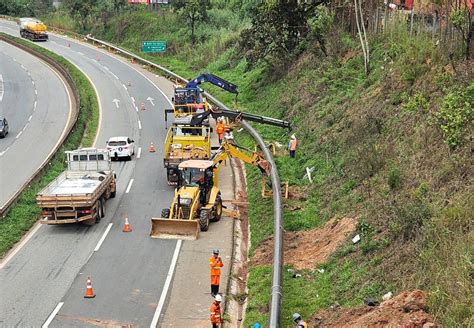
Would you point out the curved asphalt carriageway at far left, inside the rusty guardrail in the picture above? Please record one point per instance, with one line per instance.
(32, 97)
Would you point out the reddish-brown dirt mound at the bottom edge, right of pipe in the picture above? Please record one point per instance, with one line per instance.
(406, 310)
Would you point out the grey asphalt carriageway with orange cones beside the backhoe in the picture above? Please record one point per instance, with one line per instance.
(44, 282)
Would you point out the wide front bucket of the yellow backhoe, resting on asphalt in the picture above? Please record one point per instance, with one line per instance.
(174, 229)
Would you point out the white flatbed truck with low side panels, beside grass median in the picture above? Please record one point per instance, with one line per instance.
(79, 194)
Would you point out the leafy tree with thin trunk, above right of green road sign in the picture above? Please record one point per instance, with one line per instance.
(193, 11)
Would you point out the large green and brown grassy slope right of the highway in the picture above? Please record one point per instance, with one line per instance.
(391, 149)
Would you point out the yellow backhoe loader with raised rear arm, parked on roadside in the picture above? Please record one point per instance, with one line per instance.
(197, 199)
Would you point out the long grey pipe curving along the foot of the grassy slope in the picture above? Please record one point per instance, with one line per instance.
(275, 304)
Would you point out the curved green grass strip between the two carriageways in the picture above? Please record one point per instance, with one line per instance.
(24, 213)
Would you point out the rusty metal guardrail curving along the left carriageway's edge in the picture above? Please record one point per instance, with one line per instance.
(75, 108)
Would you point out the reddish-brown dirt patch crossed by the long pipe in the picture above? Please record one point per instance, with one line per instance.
(305, 249)
